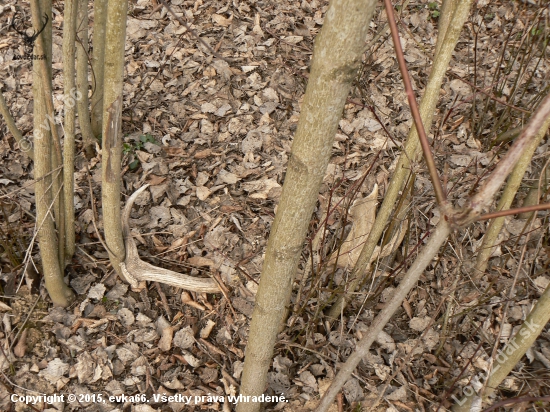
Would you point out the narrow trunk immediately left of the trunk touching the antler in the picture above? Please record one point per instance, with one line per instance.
(98, 64)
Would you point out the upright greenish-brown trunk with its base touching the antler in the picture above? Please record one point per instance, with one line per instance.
(112, 126)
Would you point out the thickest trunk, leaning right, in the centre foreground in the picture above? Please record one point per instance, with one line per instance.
(337, 57)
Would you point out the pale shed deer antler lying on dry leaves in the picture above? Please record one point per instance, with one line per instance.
(135, 270)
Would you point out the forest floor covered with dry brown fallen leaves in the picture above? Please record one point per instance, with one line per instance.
(212, 137)
